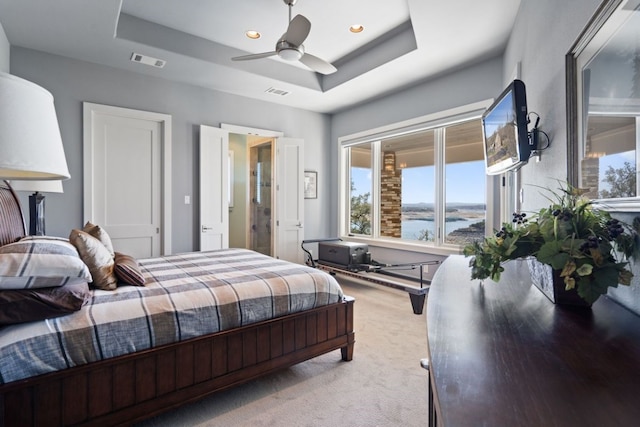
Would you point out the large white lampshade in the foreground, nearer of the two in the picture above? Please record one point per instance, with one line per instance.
(30, 142)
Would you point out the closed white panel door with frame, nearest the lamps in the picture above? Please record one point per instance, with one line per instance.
(123, 177)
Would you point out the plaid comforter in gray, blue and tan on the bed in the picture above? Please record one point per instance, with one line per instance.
(185, 296)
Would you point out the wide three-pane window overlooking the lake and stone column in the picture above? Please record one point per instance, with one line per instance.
(420, 186)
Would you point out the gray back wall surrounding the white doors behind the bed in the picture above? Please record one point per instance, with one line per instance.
(71, 82)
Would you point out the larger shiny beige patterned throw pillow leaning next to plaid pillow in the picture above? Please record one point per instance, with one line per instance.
(97, 257)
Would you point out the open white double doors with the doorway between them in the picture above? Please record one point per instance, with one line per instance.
(225, 197)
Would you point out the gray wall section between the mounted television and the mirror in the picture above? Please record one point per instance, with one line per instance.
(543, 34)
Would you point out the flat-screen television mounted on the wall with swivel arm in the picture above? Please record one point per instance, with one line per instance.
(505, 134)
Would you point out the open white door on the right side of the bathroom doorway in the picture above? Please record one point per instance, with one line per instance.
(289, 199)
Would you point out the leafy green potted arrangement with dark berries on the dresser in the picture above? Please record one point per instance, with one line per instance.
(571, 242)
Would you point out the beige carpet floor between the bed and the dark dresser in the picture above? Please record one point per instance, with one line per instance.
(383, 385)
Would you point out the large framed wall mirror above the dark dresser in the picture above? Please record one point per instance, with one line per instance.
(603, 106)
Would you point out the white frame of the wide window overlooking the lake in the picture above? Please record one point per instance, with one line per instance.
(436, 121)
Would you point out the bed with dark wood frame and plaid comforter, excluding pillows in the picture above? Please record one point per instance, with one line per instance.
(170, 365)
